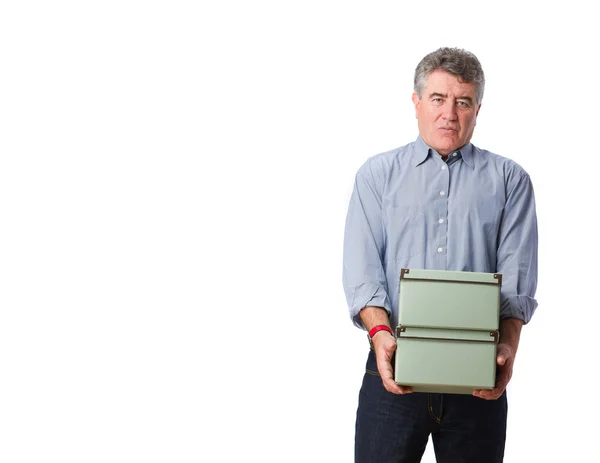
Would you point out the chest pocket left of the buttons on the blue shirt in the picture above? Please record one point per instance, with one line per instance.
(406, 230)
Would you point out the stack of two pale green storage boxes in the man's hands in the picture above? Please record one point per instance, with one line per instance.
(447, 330)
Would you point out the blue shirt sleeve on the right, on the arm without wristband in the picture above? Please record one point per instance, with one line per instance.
(518, 251)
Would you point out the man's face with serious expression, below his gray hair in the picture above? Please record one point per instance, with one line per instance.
(446, 112)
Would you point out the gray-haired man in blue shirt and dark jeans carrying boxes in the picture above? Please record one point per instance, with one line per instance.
(437, 203)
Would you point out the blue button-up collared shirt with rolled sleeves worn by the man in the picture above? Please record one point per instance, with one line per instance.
(410, 209)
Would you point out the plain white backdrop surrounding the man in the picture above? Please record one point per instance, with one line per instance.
(174, 179)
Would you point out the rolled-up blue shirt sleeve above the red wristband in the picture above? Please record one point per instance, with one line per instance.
(363, 275)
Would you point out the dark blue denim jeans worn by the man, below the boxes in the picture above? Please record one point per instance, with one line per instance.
(394, 428)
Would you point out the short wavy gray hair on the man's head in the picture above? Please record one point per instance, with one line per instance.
(461, 63)
